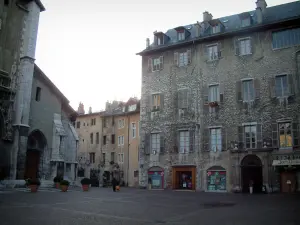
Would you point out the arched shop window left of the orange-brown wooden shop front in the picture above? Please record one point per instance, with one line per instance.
(156, 178)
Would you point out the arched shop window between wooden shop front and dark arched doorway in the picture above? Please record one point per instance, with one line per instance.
(216, 179)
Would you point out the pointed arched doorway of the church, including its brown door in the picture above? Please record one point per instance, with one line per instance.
(35, 148)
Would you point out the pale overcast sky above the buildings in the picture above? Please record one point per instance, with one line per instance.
(88, 48)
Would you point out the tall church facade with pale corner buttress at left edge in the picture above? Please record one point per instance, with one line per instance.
(18, 34)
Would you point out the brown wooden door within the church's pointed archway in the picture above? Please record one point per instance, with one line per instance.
(32, 164)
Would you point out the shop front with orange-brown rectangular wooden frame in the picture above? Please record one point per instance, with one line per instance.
(184, 177)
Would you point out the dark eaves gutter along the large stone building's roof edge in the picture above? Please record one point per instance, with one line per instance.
(216, 36)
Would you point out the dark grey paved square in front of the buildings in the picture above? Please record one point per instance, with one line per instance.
(101, 206)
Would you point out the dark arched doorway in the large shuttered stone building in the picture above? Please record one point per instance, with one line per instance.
(251, 170)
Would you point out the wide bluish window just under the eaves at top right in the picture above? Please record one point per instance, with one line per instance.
(286, 38)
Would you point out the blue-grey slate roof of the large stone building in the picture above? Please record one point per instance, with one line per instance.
(232, 24)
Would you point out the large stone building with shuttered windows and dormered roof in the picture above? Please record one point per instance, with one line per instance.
(220, 103)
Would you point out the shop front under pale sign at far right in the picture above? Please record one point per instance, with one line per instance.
(287, 166)
